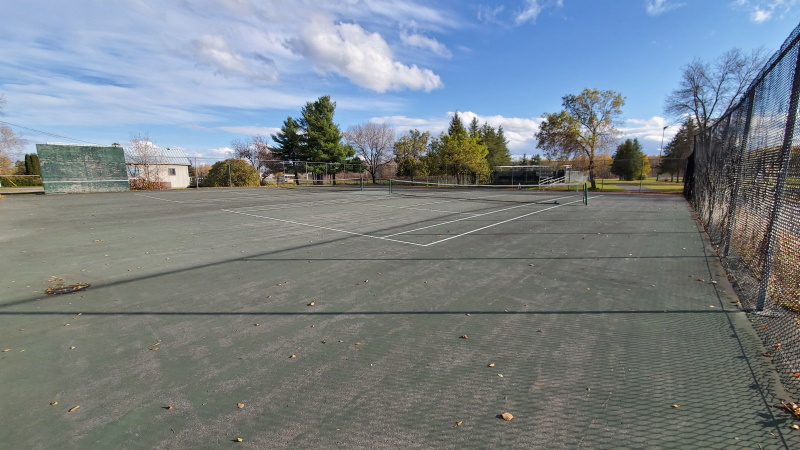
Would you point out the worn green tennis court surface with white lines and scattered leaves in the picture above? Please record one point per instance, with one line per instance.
(610, 325)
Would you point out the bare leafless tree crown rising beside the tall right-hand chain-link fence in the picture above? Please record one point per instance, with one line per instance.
(708, 90)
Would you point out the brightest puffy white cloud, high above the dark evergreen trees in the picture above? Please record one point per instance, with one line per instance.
(360, 56)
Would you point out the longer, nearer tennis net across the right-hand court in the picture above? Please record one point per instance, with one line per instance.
(520, 193)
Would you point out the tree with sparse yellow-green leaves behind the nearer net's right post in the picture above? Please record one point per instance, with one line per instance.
(586, 126)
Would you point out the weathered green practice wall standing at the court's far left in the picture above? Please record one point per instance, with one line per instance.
(76, 169)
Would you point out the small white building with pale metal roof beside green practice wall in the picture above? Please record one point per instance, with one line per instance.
(158, 167)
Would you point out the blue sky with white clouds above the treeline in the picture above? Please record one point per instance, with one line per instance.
(198, 74)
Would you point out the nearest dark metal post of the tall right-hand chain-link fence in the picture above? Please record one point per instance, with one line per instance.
(786, 153)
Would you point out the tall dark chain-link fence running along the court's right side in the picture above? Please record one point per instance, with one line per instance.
(746, 190)
